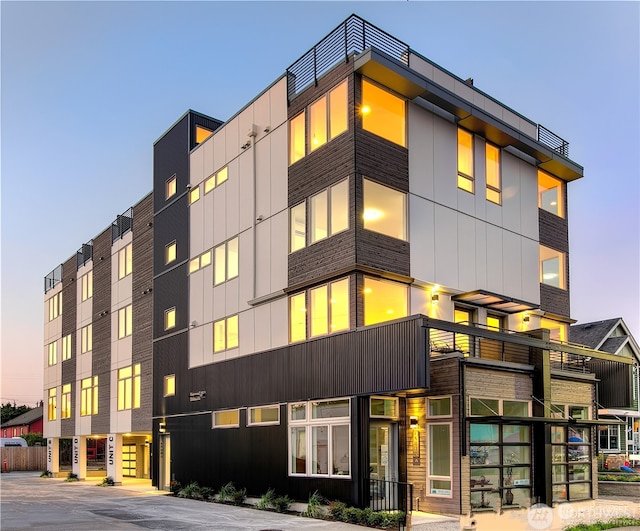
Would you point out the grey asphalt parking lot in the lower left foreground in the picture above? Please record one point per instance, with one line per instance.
(29, 502)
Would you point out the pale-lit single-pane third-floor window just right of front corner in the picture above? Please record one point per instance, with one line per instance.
(384, 210)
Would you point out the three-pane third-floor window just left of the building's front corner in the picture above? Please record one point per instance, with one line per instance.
(328, 213)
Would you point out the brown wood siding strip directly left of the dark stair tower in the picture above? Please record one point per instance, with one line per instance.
(142, 339)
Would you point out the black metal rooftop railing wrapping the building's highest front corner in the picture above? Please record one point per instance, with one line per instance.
(354, 35)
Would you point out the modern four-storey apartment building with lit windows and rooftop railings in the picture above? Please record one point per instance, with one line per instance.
(360, 282)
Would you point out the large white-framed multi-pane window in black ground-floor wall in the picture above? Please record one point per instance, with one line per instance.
(319, 438)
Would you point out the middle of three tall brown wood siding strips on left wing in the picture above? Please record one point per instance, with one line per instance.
(101, 358)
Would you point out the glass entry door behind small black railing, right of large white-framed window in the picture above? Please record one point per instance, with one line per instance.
(383, 460)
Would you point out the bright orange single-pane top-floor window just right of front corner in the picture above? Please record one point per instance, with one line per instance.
(383, 113)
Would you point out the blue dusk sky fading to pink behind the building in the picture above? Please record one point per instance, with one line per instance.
(87, 87)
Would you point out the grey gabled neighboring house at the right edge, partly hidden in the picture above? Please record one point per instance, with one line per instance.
(617, 400)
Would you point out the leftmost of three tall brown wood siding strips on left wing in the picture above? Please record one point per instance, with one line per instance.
(69, 311)
